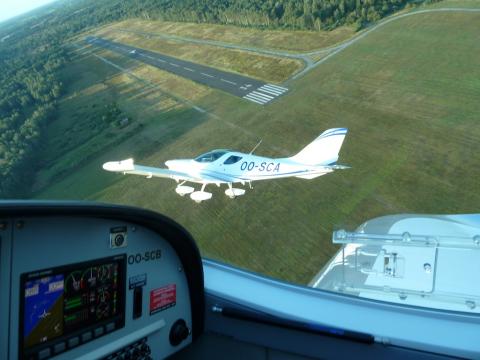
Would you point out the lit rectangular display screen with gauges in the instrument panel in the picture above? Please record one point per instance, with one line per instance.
(60, 302)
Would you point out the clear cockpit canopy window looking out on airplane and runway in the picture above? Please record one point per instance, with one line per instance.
(338, 113)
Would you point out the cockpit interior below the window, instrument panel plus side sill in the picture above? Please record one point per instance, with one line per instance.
(91, 281)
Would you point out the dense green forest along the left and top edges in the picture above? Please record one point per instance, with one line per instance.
(32, 50)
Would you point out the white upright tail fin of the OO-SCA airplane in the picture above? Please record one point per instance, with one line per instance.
(324, 149)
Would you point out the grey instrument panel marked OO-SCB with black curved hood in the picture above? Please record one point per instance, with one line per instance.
(93, 281)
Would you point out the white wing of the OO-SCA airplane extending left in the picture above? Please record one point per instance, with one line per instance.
(129, 167)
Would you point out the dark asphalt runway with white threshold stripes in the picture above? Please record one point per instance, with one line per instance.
(253, 90)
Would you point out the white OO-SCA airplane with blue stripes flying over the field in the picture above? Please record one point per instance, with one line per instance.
(231, 167)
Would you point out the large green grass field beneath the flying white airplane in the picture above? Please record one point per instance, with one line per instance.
(409, 94)
